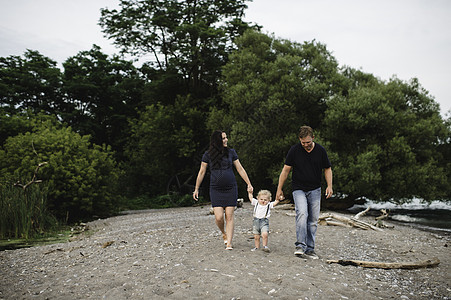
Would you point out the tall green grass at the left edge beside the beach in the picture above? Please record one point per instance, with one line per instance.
(23, 212)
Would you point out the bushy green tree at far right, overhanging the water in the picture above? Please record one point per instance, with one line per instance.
(384, 137)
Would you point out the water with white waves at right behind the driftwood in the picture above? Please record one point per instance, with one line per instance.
(434, 217)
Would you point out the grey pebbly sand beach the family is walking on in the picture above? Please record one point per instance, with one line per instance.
(179, 254)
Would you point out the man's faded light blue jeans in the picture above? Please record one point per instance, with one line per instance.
(307, 206)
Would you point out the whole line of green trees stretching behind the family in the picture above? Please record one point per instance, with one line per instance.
(114, 135)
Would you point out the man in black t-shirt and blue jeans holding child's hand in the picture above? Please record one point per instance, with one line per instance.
(307, 159)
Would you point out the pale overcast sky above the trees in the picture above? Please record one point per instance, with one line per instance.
(403, 38)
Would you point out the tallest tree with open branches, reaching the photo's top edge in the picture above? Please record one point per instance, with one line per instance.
(189, 39)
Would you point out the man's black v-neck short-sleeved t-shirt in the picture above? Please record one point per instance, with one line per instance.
(307, 167)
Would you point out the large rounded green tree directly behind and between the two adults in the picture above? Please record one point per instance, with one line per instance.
(270, 88)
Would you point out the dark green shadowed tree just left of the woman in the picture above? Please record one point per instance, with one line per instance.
(163, 143)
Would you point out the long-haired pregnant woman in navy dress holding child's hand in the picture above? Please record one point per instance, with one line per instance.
(223, 187)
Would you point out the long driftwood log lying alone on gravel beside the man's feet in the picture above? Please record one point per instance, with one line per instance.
(429, 263)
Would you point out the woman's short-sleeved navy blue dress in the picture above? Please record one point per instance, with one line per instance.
(223, 187)
